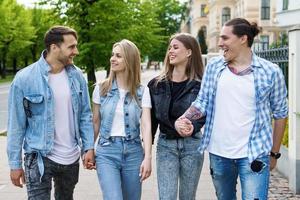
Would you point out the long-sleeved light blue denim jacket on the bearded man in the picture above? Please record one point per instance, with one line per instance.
(31, 113)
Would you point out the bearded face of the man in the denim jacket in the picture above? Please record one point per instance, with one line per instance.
(67, 50)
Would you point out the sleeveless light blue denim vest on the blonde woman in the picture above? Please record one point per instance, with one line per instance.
(132, 112)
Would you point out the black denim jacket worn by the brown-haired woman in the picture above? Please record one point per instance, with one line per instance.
(161, 97)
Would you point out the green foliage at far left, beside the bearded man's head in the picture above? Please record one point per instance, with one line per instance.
(21, 34)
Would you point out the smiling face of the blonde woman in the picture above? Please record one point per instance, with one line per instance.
(117, 61)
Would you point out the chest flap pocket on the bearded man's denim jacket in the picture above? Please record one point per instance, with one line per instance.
(33, 104)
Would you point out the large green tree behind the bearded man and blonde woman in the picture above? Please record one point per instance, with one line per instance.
(102, 23)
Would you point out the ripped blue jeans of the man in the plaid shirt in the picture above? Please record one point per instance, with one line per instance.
(254, 177)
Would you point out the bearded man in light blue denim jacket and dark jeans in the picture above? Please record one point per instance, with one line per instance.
(50, 116)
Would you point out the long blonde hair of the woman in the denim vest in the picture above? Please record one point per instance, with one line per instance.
(132, 61)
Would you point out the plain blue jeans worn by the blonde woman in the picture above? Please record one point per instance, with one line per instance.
(118, 165)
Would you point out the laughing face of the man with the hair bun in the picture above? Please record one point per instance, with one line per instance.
(231, 44)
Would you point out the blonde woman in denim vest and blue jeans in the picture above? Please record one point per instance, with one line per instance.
(121, 111)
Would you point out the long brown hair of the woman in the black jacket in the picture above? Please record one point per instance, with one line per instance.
(194, 68)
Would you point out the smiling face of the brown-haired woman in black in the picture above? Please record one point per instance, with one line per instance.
(178, 53)
